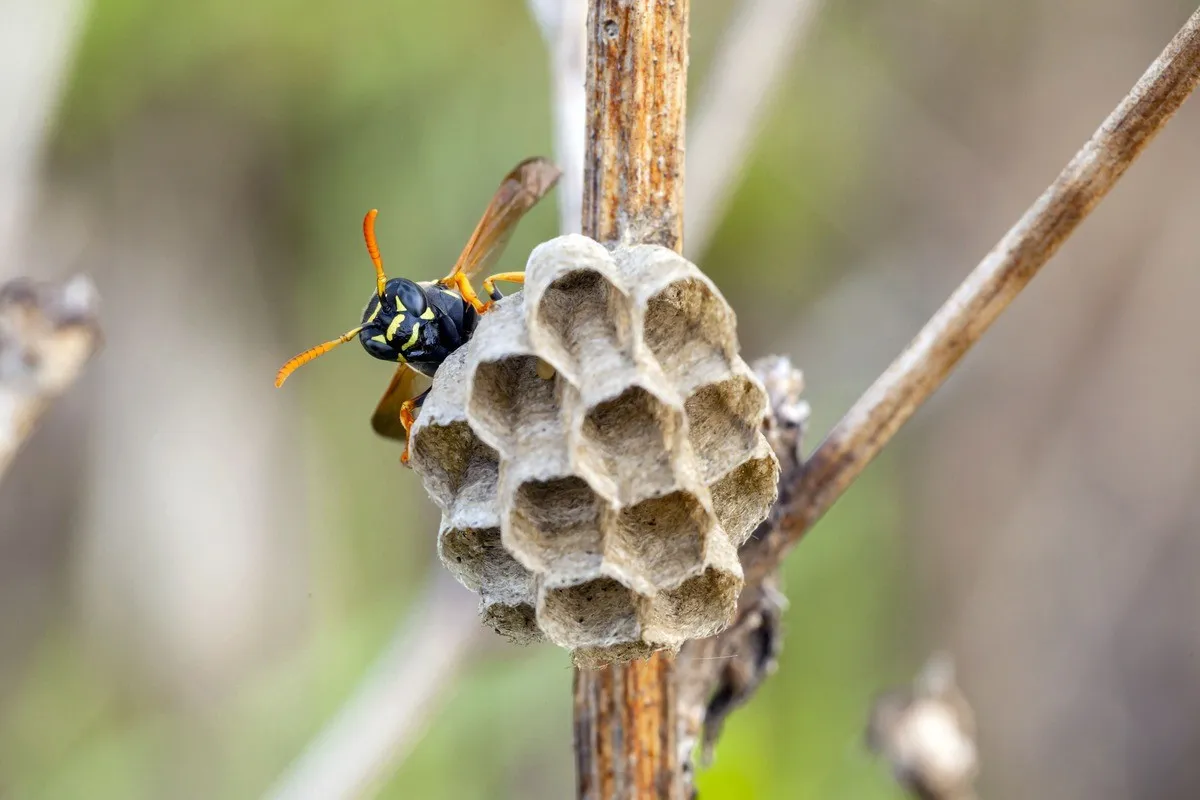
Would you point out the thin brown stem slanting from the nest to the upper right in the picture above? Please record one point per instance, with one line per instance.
(998, 280)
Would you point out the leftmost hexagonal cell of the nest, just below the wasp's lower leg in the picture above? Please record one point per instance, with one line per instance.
(454, 460)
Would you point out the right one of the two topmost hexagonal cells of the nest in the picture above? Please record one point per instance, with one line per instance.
(691, 332)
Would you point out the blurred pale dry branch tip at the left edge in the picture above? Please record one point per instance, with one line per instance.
(47, 335)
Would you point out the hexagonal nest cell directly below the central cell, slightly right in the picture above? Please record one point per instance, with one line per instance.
(661, 542)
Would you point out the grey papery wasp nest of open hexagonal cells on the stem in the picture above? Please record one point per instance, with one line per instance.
(598, 456)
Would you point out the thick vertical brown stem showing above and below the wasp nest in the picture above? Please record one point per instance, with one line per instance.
(633, 194)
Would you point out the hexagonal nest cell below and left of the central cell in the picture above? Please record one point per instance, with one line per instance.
(557, 527)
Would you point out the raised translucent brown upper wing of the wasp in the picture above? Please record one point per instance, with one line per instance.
(520, 191)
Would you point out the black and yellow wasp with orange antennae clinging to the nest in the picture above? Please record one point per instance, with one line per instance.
(419, 324)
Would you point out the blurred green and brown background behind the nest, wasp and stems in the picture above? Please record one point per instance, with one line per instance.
(197, 570)
